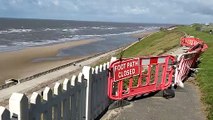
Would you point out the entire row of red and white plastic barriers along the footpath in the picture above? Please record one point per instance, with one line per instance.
(136, 76)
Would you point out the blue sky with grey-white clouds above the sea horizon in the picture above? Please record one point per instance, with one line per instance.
(139, 11)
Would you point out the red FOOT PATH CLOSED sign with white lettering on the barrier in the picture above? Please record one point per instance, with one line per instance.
(126, 68)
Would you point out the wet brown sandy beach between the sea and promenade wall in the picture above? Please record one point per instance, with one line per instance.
(18, 64)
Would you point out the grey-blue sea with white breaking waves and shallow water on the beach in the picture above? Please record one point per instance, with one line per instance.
(16, 34)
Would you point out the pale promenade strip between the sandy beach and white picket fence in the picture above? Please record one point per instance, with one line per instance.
(39, 83)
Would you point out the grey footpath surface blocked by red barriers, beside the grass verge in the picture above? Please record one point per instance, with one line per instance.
(185, 105)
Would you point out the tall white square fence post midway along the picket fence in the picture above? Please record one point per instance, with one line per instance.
(87, 71)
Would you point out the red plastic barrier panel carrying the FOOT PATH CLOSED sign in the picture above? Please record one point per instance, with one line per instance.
(135, 76)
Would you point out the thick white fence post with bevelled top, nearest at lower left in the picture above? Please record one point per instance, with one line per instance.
(18, 106)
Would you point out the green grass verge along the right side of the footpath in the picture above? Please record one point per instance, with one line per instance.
(205, 74)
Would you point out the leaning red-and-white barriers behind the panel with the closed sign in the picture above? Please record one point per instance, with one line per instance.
(187, 61)
